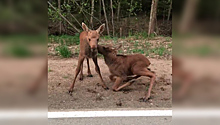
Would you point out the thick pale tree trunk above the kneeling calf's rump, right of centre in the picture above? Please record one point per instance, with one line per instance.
(153, 16)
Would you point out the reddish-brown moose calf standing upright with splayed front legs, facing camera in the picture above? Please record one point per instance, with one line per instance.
(88, 49)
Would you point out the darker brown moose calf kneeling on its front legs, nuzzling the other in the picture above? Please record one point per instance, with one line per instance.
(123, 66)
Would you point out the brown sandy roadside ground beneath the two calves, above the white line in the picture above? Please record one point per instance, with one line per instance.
(89, 95)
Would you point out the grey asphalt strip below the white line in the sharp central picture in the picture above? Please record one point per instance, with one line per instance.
(112, 121)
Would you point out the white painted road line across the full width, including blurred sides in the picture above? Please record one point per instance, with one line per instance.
(182, 113)
